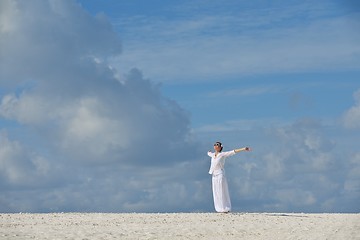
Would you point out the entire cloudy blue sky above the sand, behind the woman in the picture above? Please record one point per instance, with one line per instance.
(112, 105)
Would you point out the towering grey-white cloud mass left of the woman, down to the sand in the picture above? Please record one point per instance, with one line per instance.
(91, 139)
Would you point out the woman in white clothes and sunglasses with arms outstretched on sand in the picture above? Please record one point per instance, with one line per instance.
(219, 184)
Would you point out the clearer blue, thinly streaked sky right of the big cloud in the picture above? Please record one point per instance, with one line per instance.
(243, 52)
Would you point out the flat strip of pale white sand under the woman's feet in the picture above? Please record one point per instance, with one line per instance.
(179, 226)
